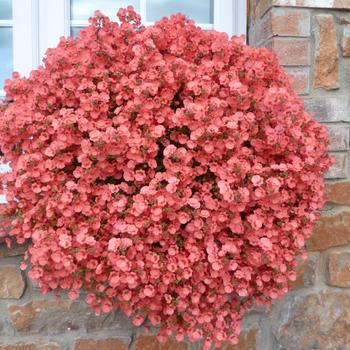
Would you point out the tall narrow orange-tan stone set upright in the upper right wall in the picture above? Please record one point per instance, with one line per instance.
(326, 56)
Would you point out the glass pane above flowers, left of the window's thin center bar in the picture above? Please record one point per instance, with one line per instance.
(82, 9)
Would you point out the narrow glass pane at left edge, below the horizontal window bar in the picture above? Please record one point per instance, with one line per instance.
(5, 54)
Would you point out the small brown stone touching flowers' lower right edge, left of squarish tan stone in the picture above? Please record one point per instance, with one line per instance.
(306, 272)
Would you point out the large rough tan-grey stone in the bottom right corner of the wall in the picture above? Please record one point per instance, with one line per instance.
(315, 322)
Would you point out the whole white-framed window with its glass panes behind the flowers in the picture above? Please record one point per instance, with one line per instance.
(29, 27)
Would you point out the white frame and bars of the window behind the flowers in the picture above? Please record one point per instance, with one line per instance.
(38, 25)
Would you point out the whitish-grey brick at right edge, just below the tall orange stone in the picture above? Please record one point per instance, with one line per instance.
(329, 108)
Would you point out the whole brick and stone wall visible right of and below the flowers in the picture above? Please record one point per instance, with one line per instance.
(312, 40)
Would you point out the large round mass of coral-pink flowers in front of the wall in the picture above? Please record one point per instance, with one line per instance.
(166, 171)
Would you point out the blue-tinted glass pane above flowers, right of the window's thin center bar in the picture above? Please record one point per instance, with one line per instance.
(199, 10)
